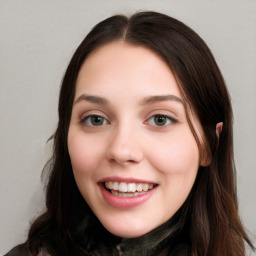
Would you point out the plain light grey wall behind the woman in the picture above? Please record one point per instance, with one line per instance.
(37, 40)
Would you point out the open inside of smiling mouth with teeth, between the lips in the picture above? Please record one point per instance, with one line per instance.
(123, 189)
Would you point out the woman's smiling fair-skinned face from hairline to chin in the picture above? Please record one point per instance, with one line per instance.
(133, 154)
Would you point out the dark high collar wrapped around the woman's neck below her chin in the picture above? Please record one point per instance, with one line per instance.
(152, 243)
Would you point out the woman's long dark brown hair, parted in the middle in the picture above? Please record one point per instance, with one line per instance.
(211, 209)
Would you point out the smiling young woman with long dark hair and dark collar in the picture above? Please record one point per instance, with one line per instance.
(143, 152)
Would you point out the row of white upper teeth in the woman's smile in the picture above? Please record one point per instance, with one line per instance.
(128, 187)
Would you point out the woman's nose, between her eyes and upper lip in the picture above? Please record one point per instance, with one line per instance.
(124, 147)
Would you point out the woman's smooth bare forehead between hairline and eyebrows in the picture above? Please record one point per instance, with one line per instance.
(124, 66)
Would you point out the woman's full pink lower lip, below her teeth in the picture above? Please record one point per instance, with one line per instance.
(125, 202)
